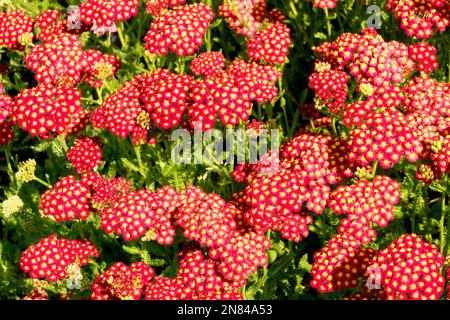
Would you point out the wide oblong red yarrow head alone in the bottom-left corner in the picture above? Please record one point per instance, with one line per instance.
(50, 257)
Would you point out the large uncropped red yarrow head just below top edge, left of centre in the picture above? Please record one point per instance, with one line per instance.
(179, 30)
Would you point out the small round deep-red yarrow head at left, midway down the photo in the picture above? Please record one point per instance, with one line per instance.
(85, 155)
